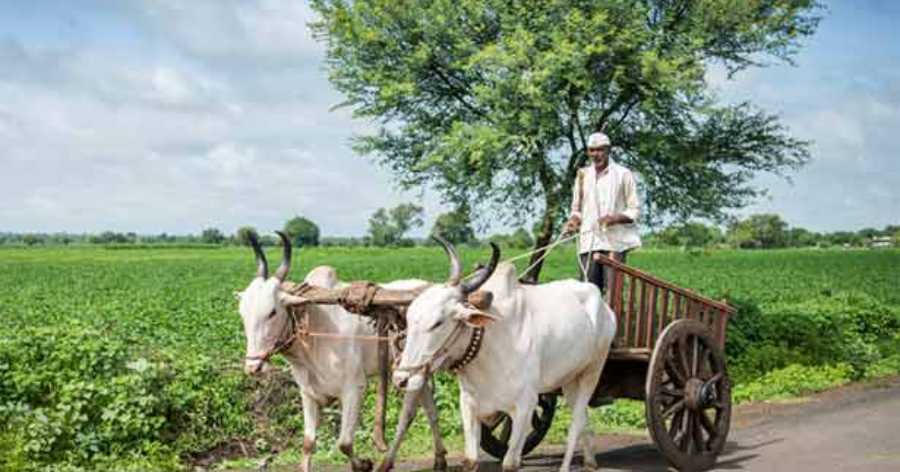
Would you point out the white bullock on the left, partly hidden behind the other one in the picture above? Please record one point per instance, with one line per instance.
(325, 369)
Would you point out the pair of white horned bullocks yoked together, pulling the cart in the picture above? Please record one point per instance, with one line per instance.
(536, 339)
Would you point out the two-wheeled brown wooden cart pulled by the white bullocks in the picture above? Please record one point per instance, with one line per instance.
(669, 353)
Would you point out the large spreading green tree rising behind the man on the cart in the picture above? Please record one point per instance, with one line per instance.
(490, 101)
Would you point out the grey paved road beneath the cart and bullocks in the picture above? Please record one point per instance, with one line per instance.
(851, 429)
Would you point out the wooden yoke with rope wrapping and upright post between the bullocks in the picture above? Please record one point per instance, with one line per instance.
(386, 307)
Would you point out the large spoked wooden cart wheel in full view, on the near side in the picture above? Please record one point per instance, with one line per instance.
(688, 396)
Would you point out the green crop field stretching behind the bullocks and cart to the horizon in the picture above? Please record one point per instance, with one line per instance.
(130, 359)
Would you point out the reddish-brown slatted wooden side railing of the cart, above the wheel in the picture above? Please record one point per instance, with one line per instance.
(645, 305)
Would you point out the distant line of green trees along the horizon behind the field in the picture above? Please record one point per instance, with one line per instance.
(389, 227)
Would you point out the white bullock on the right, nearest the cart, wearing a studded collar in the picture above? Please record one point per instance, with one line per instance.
(536, 339)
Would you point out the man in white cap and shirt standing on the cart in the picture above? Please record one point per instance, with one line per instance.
(605, 210)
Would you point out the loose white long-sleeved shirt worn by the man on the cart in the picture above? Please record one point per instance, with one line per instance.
(611, 192)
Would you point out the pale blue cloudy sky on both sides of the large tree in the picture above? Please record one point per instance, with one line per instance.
(172, 116)
